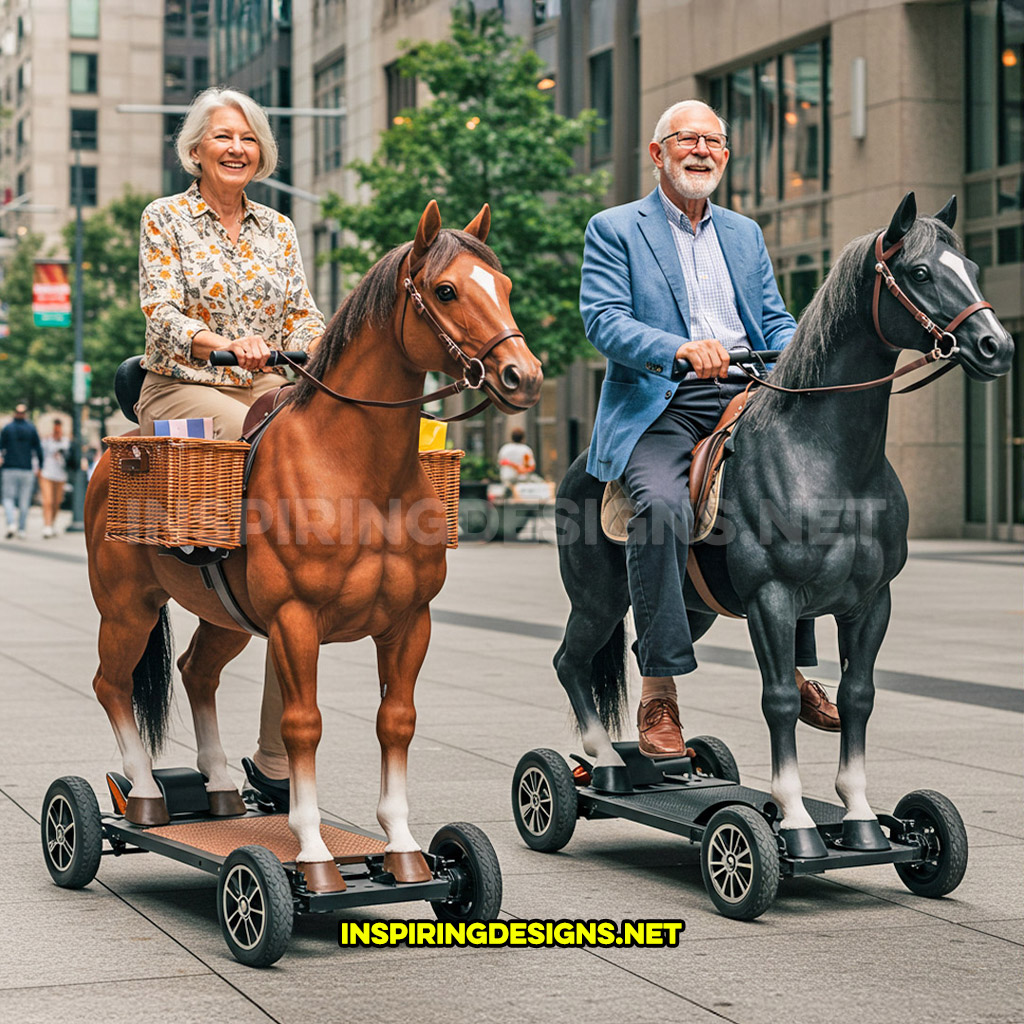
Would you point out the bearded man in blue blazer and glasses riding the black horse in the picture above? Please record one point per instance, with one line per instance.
(674, 277)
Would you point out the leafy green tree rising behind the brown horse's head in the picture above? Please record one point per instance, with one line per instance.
(489, 135)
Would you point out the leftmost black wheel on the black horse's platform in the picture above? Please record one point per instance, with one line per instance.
(544, 800)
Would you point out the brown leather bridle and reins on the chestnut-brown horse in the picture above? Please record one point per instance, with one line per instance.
(475, 372)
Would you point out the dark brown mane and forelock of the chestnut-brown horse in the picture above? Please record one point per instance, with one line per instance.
(373, 301)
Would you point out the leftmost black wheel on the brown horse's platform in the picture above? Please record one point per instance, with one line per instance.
(72, 833)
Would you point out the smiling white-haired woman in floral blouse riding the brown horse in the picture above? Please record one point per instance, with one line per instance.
(220, 272)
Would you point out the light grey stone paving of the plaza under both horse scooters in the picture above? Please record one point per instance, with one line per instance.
(142, 944)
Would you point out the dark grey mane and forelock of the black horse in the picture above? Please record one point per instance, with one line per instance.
(835, 305)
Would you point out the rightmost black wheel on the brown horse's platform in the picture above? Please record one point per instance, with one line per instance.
(476, 874)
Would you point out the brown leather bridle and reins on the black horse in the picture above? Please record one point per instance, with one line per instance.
(946, 340)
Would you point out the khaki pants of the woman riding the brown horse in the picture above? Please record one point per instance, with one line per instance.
(165, 398)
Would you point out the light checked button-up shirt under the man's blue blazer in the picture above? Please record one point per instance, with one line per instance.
(709, 287)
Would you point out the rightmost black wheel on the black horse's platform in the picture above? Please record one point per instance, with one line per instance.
(935, 818)
